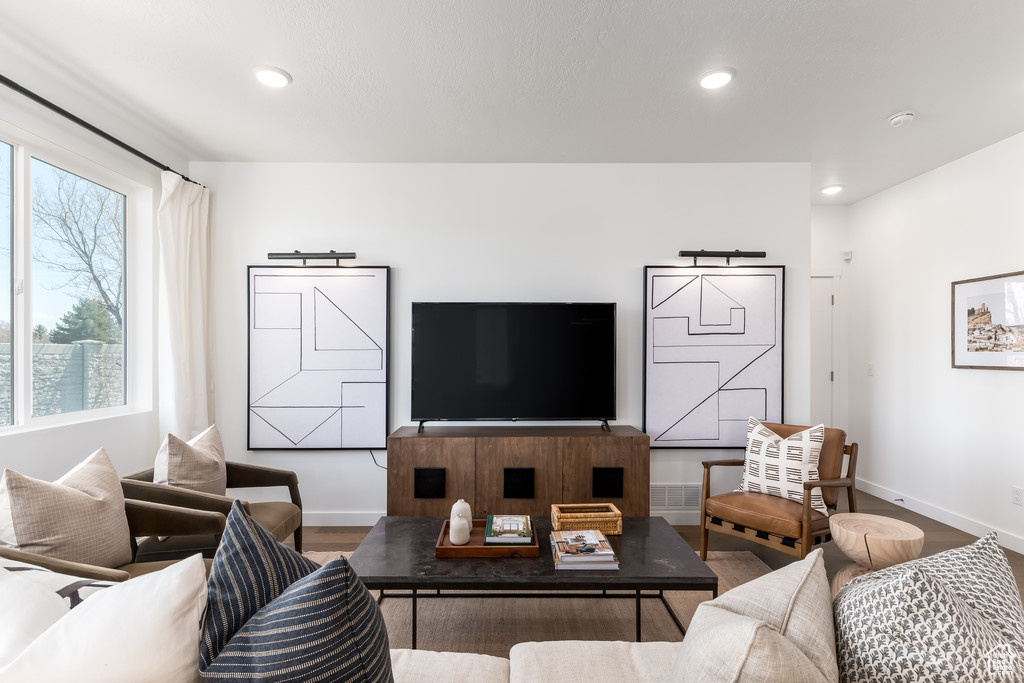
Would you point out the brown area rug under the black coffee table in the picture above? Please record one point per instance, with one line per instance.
(493, 626)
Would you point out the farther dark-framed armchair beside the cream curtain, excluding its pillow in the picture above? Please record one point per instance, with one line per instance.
(280, 518)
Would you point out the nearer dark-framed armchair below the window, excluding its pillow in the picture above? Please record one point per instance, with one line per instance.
(145, 519)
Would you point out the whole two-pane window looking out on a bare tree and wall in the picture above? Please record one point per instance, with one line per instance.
(63, 314)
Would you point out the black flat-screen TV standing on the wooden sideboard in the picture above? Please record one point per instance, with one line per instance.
(514, 362)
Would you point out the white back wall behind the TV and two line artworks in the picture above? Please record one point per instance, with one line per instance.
(494, 232)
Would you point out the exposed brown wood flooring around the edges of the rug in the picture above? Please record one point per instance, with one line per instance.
(938, 537)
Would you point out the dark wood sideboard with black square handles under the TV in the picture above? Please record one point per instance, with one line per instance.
(517, 471)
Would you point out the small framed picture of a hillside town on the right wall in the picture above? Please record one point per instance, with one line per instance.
(989, 322)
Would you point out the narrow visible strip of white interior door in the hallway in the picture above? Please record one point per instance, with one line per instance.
(823, 351)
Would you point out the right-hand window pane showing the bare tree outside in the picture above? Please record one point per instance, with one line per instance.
(78, 292)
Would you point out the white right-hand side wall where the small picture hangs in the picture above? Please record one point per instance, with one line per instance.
(945, 441)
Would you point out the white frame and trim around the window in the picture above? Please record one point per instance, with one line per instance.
(139, 261)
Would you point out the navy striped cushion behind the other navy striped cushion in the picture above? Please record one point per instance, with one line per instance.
(250, 570)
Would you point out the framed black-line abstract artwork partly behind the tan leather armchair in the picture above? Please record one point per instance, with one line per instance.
(713, 354)
